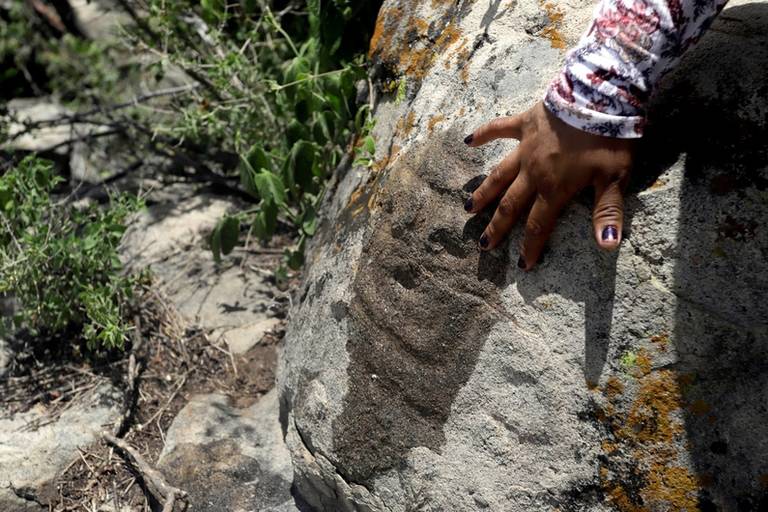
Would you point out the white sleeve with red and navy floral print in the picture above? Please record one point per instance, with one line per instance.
(610, 74)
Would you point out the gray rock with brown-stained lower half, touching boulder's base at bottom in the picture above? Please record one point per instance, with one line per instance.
(229, 459)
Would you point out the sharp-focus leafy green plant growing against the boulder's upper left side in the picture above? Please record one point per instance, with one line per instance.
(278, 91)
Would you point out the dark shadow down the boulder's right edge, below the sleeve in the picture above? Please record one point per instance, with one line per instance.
(713, 109)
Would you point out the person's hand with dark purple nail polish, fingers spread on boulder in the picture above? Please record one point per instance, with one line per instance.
(553, 162)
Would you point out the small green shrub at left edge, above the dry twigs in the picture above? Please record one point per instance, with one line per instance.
(60, 262)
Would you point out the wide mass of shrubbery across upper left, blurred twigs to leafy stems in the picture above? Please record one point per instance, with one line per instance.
(271, 109)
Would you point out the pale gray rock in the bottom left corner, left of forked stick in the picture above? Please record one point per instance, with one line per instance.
(32, 458)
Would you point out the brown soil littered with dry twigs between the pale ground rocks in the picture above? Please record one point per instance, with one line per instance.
(177, 360)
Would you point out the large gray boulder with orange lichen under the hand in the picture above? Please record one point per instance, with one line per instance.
(420, 374)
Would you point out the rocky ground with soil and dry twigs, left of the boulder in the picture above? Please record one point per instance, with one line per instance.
(203, 410)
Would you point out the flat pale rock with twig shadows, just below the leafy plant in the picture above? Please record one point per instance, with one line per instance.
(170, 237)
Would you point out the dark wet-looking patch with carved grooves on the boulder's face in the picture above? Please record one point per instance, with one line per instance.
(420, 314)
